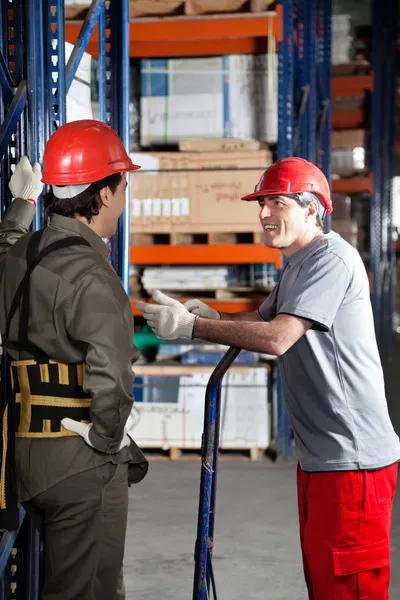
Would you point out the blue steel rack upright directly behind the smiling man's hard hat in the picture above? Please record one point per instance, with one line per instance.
(305, 111)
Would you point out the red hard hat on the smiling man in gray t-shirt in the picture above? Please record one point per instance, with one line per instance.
(293, 176)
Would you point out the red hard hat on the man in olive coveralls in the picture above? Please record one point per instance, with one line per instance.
(84, 152)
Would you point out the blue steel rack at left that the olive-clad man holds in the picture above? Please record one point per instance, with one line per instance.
(34, 81)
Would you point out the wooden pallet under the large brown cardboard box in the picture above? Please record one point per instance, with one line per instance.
(187, 239)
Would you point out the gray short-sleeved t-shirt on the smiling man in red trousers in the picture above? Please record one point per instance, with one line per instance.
(332, 377)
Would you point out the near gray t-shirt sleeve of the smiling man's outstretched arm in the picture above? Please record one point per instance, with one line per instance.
(318, 291)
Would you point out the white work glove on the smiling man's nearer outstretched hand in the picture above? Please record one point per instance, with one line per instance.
(169, 319)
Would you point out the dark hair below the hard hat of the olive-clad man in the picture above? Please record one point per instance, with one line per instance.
(86, 204)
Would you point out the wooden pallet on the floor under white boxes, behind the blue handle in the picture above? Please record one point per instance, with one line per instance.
(179, 454)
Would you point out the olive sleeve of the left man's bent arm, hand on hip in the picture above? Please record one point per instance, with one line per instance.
(100, 317)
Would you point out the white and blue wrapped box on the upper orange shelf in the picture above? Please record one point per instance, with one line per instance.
(211, 97)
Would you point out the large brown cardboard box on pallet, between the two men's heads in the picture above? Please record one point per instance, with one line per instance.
(196, 192)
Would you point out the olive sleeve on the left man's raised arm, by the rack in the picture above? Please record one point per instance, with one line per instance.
(15, 224)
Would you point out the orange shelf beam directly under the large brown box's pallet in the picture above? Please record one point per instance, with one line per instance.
(205, 254)
